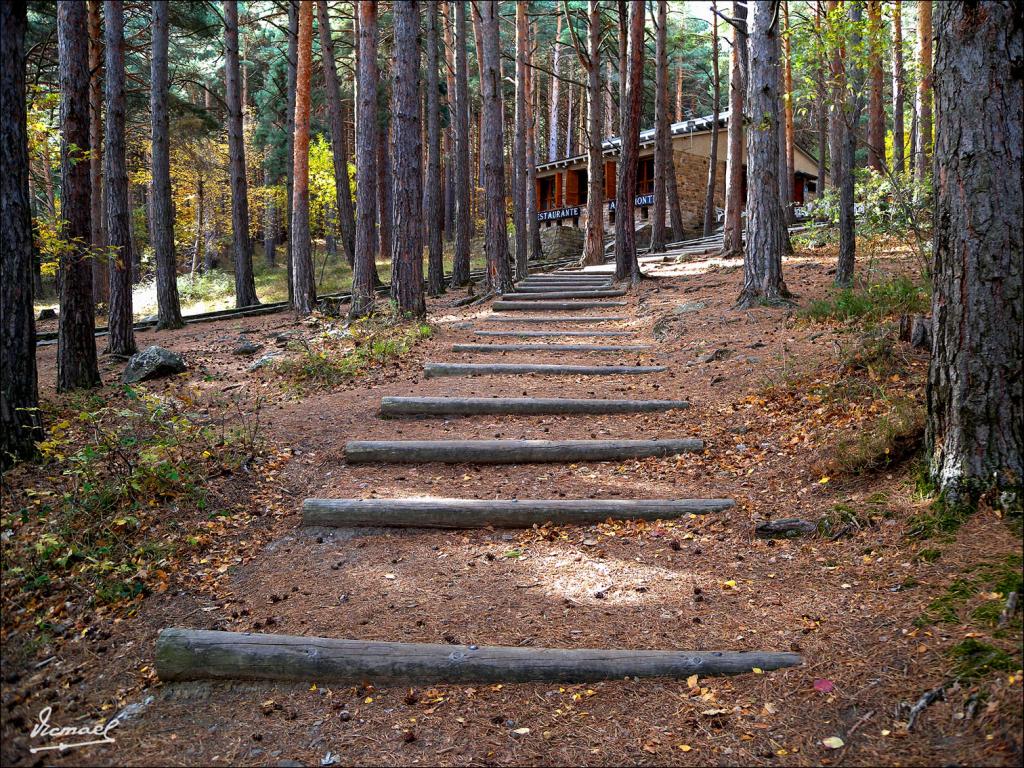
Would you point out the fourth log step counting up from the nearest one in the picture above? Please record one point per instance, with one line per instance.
(524, 406)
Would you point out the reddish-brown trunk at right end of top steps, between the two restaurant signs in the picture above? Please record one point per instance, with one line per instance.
(627, 267)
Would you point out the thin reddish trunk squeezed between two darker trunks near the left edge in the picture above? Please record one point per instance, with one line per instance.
(101, 279)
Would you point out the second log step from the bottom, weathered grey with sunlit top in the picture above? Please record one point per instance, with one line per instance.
(513, 514)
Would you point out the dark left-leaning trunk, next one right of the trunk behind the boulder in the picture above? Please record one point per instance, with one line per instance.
(245, 285)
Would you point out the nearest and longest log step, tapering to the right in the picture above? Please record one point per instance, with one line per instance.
(208, 655)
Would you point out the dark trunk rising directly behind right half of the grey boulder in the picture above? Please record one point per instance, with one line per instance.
(168, 307)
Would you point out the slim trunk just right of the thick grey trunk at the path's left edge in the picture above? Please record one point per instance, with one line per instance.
(433, 190)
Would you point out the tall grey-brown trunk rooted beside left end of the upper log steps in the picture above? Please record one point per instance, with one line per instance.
(492, 148)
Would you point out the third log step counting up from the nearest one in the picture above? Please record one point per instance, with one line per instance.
(511, 452)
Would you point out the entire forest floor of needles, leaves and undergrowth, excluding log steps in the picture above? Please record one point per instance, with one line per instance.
(817, 419)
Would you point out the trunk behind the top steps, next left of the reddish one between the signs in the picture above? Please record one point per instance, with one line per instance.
(593, 248)
